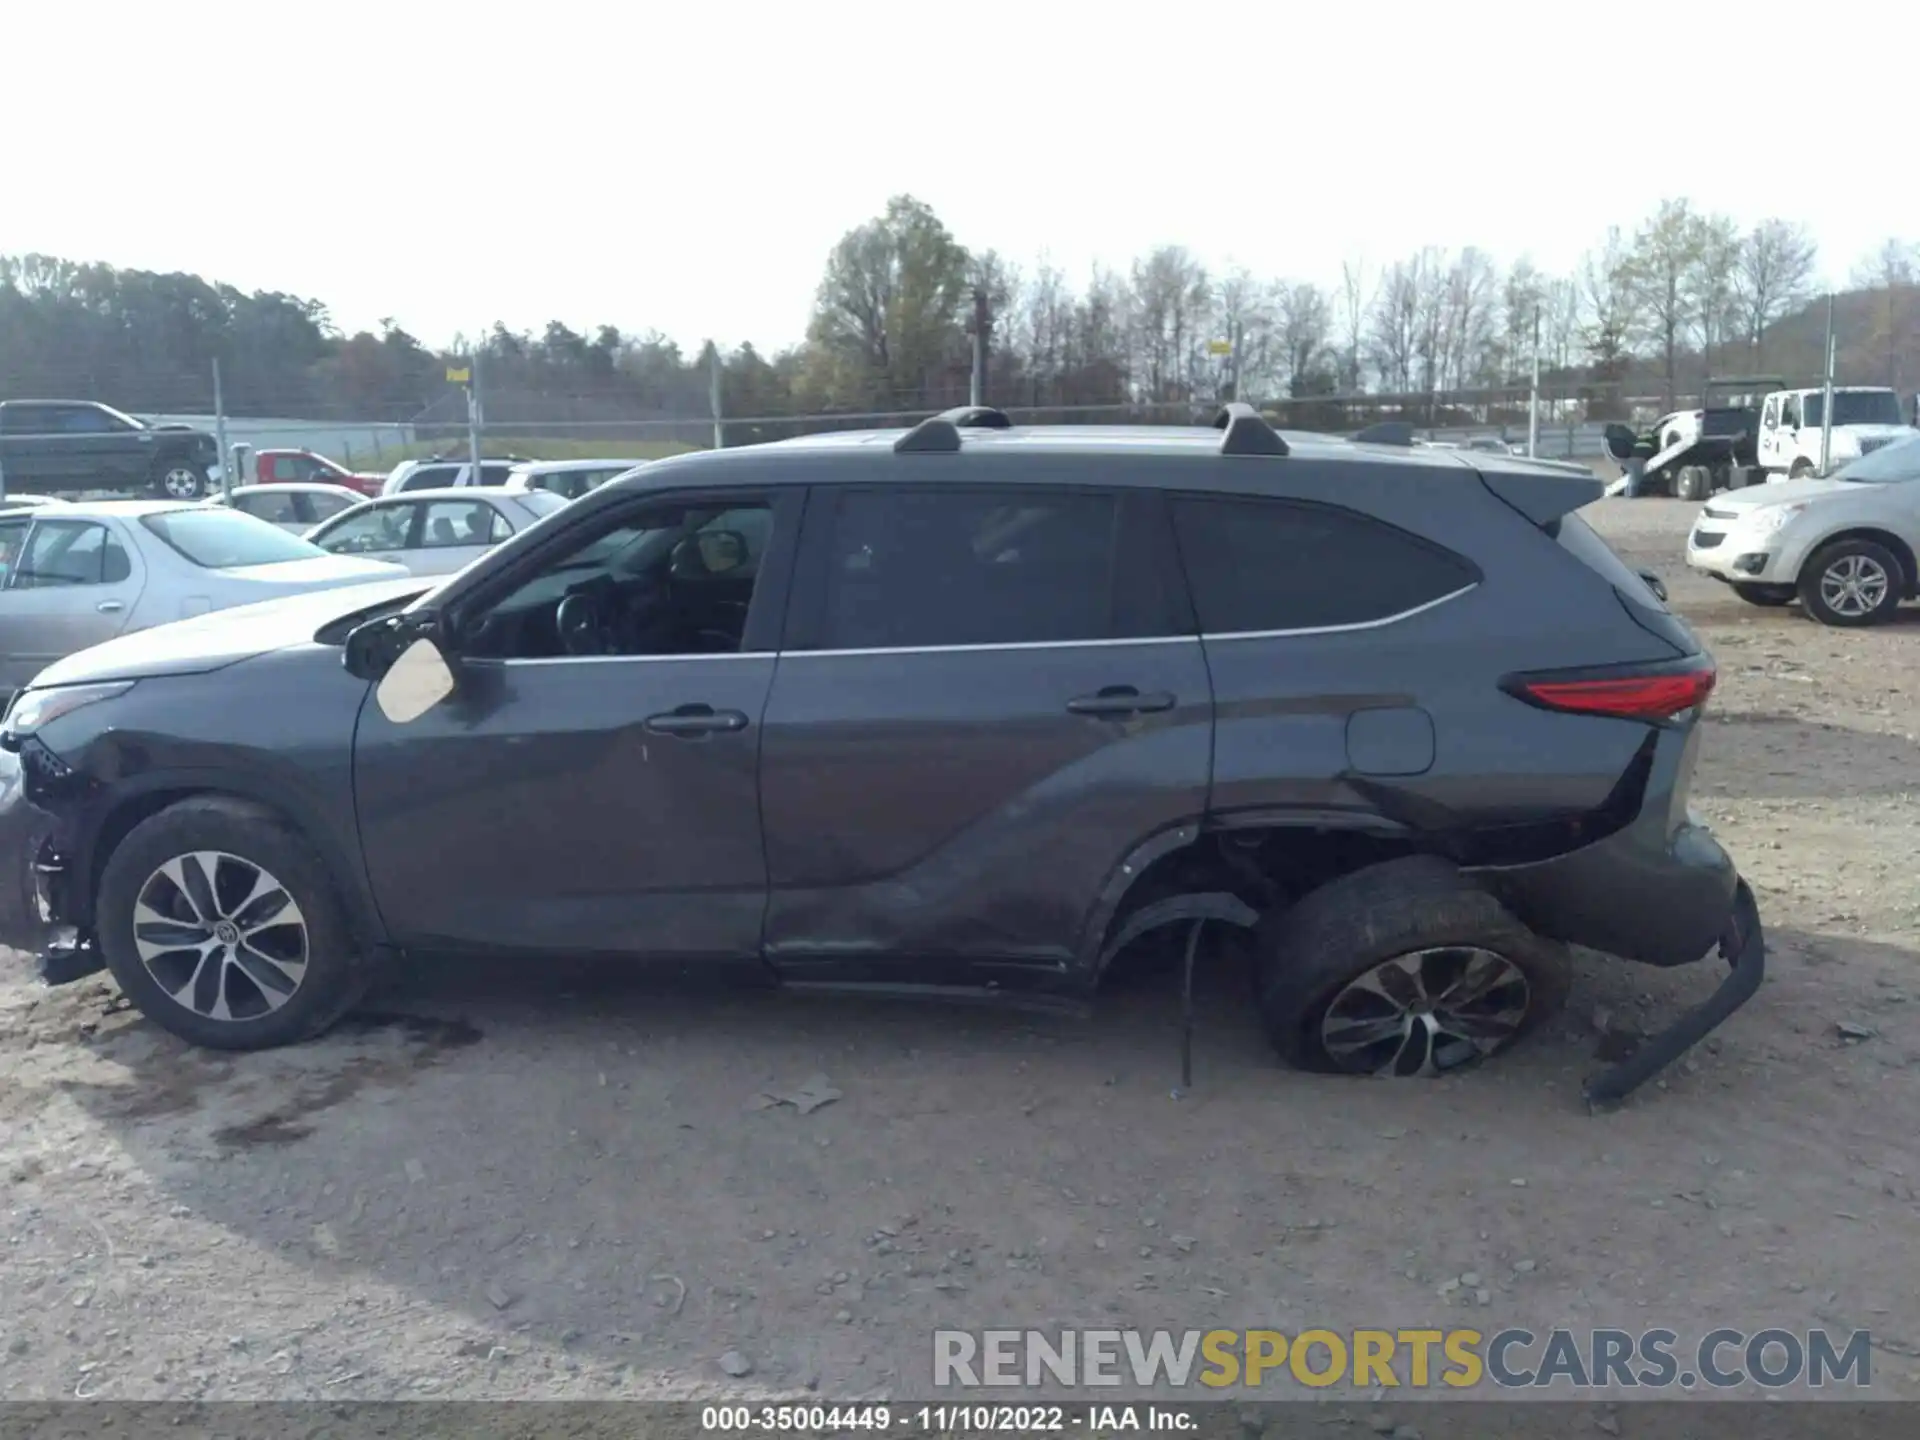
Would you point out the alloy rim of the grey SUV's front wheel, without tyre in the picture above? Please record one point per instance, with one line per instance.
(222, 936)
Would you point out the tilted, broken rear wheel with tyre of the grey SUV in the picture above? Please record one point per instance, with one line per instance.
(1403, 969)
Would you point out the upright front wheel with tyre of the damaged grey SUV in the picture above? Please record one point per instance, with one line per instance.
(222, 924)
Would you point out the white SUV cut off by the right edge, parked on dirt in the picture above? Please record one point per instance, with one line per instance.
(1842, 546)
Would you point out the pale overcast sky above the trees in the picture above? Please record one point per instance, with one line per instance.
(688, 168)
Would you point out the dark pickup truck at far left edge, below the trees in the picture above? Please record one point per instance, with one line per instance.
(66, 446)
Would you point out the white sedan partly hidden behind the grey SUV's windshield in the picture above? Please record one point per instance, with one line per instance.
(435, 531)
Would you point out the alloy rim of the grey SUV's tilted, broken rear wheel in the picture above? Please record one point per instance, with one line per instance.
(1426, 1013)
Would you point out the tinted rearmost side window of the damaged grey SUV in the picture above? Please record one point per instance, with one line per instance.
(1274, 565)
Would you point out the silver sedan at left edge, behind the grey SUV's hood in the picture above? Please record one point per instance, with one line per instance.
(74, 577)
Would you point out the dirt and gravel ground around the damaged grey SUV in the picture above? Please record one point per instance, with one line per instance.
(492, 1189)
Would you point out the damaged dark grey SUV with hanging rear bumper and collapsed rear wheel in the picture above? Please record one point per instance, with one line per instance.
(961, 708)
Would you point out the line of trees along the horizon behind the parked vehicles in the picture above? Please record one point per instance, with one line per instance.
(1646, 312)
